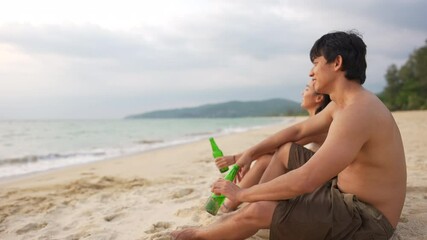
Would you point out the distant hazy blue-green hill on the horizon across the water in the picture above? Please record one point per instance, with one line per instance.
(233, 109)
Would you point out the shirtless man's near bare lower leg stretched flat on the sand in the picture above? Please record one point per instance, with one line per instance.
(239, 225)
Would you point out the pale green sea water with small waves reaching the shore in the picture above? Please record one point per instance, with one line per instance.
(32, 146)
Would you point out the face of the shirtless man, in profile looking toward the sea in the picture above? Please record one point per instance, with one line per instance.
(321, 74)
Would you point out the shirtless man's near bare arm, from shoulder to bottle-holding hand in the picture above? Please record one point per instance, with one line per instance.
(347, 134)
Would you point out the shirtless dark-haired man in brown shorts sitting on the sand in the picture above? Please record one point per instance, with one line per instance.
(353, 187)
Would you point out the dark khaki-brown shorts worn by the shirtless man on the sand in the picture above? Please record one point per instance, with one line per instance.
(326, 213)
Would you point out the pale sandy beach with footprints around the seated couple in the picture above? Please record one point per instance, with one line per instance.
(146, 196)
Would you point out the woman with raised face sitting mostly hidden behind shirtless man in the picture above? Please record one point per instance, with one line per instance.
(312, 102)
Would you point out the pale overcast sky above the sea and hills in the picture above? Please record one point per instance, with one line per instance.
(107, 59)
